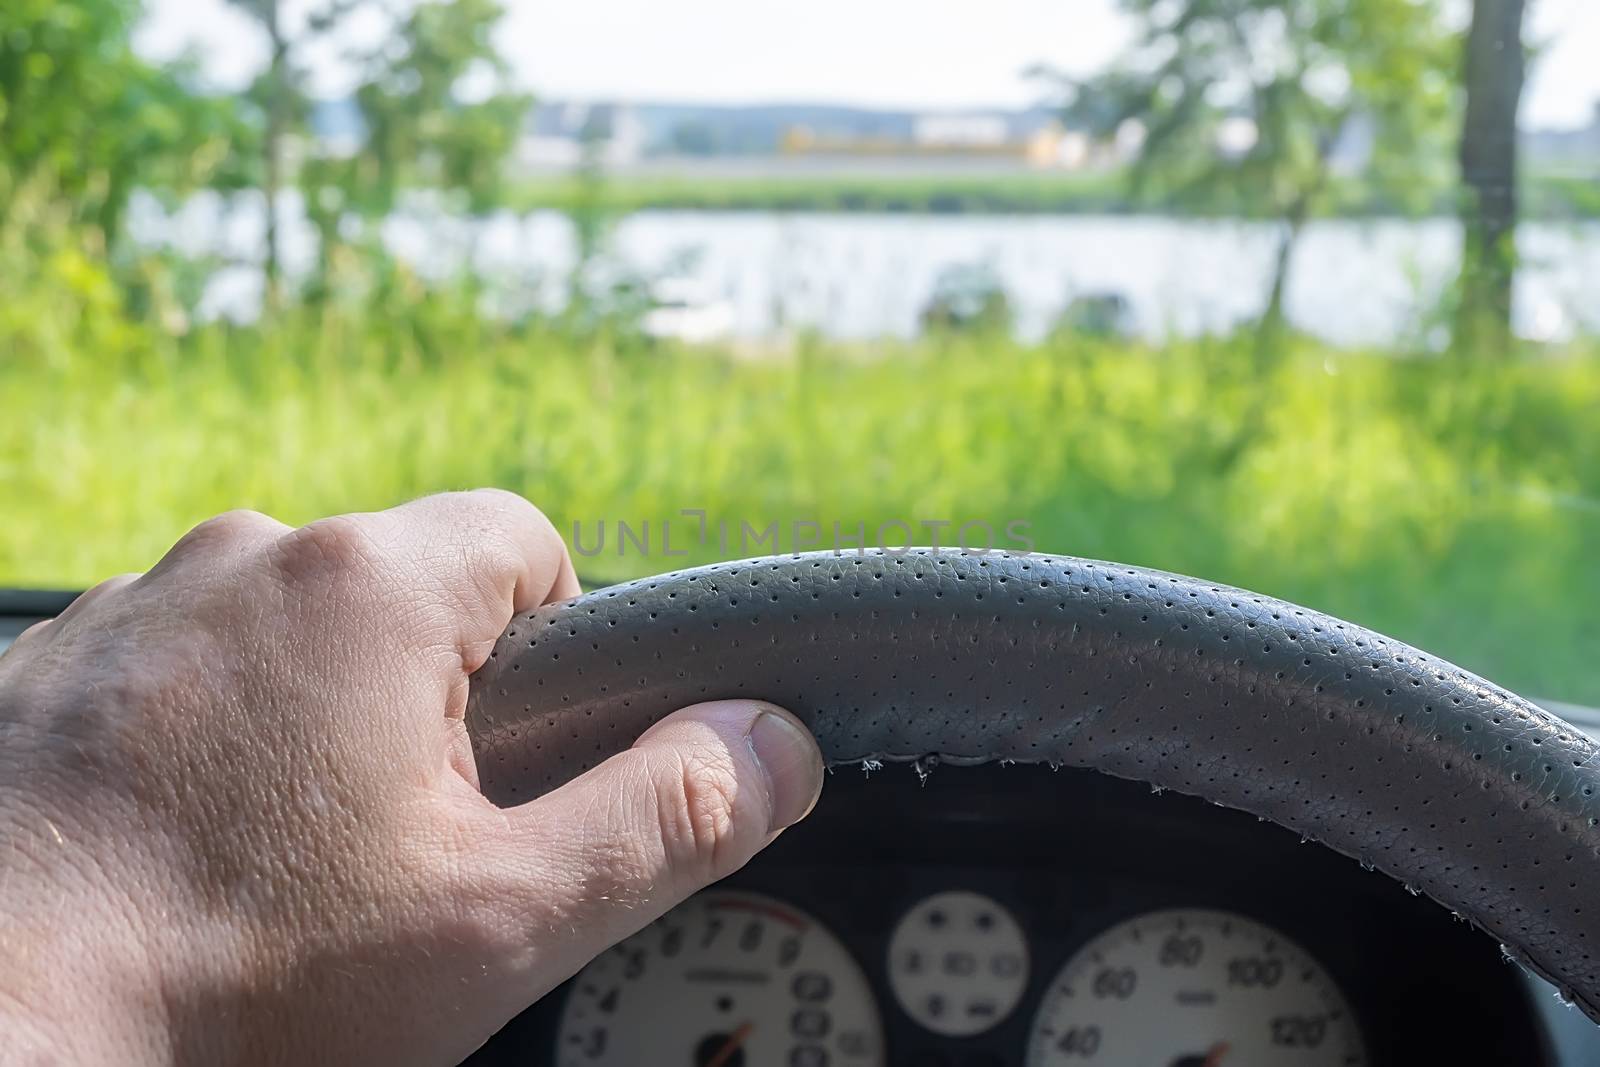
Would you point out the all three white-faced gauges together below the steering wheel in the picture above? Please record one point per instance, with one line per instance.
(735, 980)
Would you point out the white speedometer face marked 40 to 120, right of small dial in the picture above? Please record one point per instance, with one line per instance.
(1194, 989)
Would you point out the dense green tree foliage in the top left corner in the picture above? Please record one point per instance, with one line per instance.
(82, 113)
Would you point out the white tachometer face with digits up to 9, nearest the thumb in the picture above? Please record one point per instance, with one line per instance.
(726, 980)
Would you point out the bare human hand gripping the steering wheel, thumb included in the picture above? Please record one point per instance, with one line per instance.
(241, 817)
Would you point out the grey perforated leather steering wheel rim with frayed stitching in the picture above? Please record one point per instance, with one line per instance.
(1404, 762)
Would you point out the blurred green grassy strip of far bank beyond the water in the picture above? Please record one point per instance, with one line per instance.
(1546, 198)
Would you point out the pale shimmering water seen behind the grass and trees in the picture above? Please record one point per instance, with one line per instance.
(870, 276)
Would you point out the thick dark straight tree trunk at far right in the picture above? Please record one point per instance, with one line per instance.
(1489, 172)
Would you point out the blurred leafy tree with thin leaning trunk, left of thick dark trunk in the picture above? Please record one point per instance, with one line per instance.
(1257, 108)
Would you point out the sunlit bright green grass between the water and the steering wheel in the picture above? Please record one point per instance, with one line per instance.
(1454, 506)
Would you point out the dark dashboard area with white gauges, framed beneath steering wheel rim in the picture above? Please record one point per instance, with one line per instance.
(972, 917)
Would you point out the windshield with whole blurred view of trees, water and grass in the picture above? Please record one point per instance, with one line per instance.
(1294, 295)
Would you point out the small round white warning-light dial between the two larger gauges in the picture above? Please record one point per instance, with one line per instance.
(958, 964)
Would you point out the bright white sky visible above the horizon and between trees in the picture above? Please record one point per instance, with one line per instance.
(902, 54)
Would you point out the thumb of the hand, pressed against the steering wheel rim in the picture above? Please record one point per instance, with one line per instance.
(694, 801)
